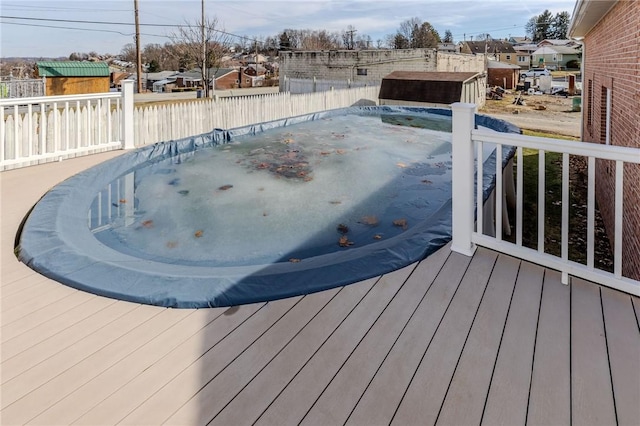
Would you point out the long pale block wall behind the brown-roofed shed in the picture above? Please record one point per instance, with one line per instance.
(371, 65)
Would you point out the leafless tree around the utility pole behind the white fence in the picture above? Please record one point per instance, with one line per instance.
(190, 44)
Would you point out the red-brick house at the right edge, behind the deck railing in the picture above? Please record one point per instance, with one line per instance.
(610, 31)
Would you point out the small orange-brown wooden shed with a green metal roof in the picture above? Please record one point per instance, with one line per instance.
(74, 77)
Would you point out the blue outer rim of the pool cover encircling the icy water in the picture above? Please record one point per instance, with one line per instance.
(55, 243)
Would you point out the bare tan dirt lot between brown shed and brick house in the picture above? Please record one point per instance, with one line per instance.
(541, 113)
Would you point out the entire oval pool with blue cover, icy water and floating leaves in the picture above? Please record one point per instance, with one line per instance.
(254, 214)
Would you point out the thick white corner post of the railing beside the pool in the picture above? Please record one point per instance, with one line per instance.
(463, 122)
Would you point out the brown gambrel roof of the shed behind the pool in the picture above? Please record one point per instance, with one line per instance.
(430, 87)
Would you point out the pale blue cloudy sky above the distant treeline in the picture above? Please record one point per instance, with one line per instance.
(33, 37)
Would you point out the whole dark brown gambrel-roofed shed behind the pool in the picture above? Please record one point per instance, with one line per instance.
(432, 89)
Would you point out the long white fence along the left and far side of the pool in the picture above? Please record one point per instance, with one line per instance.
(53, 128)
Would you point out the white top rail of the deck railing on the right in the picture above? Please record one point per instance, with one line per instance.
(605, 152)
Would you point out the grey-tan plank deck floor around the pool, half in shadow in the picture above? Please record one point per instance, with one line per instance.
(450, 340)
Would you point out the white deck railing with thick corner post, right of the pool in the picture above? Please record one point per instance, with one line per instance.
(467, 214)
